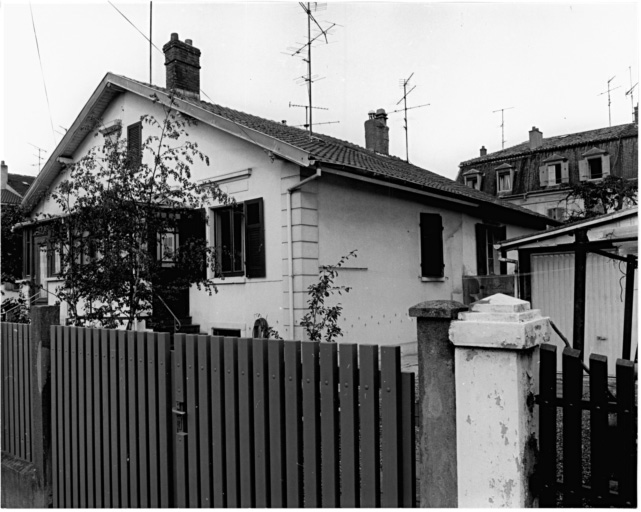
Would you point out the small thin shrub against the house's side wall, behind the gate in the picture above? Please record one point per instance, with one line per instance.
(321, 320)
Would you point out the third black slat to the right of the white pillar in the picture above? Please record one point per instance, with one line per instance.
(599, 476)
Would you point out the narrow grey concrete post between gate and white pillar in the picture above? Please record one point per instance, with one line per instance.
(437, 403)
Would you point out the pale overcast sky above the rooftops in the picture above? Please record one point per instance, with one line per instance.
(548, 61)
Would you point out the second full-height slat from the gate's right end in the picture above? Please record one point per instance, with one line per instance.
(370, 437)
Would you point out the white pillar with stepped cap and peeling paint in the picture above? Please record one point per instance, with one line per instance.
(496, 441)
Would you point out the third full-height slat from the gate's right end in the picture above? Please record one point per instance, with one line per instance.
(349, 442)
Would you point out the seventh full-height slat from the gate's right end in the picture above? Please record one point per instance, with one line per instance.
(276, 469)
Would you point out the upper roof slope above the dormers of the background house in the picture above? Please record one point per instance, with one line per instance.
(559, 142)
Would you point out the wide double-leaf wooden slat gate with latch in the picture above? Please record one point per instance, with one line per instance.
(228, 422)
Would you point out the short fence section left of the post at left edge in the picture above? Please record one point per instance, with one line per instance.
(16, 390)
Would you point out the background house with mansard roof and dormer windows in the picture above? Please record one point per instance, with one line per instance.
(536, 174)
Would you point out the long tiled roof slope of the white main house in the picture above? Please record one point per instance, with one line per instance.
(341, 153)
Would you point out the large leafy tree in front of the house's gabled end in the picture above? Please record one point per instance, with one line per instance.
(117, 204)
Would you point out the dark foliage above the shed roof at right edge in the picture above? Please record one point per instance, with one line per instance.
(610, 194)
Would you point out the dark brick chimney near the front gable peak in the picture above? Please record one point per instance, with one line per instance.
(182, 61)
